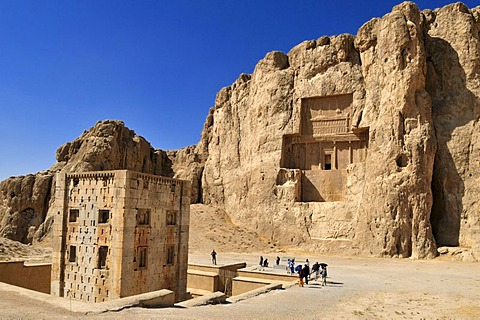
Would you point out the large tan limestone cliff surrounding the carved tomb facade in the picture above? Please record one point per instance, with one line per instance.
(413, 81)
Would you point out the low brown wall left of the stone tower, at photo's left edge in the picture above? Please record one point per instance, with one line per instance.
(33, 276)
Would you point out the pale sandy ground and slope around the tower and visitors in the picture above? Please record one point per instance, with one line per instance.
(357, 288)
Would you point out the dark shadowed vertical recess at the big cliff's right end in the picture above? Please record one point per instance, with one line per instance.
(453, 106)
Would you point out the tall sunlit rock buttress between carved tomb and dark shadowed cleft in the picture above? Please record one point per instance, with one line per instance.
(394, 212)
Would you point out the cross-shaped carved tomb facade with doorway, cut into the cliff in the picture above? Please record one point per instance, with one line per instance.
(324, 148)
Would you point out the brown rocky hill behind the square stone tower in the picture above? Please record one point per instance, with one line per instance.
(109, 145)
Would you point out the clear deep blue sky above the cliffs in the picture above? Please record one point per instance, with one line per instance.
(156, 65)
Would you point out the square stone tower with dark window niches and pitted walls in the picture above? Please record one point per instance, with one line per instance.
(119, 233)
